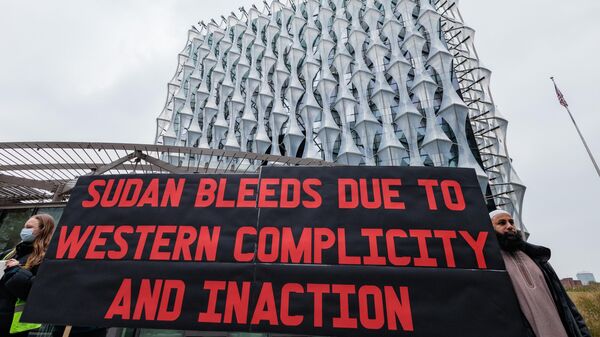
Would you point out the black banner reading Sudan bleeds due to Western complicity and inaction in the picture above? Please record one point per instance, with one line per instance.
(318, 251)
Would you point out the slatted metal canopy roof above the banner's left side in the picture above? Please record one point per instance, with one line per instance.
(33, 172)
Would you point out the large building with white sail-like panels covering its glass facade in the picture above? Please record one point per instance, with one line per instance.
(354, 82)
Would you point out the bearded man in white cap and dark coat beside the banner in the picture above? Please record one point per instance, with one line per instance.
(542, 298)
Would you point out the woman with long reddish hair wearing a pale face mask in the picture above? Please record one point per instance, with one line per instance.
(20, 266)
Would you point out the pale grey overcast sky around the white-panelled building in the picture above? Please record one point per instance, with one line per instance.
(97, 71)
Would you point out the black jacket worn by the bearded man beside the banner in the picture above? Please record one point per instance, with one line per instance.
(572, 321)
